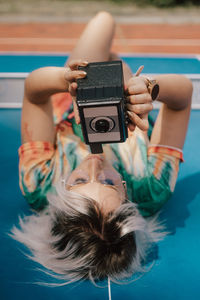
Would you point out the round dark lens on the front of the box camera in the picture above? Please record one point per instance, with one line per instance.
(102, 124)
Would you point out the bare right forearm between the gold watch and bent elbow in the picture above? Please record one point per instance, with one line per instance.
(175, 90)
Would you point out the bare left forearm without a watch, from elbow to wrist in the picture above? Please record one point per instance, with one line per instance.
(44, 82)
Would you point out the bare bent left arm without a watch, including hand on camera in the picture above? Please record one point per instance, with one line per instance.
(37, 117)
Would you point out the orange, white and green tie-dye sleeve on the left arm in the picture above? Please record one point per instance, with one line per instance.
(36, 172)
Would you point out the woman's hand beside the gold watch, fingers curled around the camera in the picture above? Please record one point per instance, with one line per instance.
(139, 103)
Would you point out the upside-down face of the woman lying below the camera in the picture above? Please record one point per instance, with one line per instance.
(97, 179)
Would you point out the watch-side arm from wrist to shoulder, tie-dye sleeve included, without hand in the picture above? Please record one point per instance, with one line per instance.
(169, 131)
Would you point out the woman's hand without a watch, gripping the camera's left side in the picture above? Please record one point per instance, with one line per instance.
(71, 75)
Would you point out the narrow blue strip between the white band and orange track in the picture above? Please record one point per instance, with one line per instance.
(27, 63)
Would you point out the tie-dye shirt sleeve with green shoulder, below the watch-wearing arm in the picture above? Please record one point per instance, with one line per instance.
(161, 175)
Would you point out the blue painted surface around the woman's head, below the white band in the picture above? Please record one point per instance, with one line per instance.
(176, 273)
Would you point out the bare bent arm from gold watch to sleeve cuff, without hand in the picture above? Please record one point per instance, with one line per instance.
(171, 124)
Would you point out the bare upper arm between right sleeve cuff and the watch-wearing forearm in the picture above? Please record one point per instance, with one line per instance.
(171, 127)
